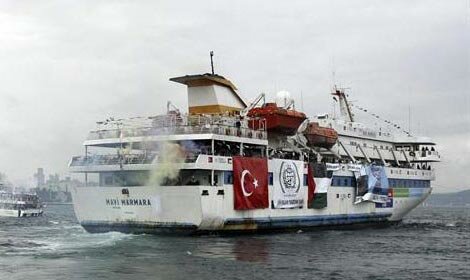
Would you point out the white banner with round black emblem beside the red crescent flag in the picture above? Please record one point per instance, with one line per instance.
(288, 189)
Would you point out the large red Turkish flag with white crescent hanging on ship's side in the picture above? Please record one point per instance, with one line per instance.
(250, 183)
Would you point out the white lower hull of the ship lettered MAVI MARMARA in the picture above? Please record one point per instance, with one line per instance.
(205, 209)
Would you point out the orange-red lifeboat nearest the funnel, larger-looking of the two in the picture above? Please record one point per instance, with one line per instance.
(276, 119)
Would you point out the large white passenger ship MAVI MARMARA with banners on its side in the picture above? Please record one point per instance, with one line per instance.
(227, 166)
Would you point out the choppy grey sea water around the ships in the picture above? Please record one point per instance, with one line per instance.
(431, 243)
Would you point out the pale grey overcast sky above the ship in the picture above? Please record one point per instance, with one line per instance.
(66, 64)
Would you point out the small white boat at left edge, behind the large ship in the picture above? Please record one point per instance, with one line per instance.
(20, 205)
